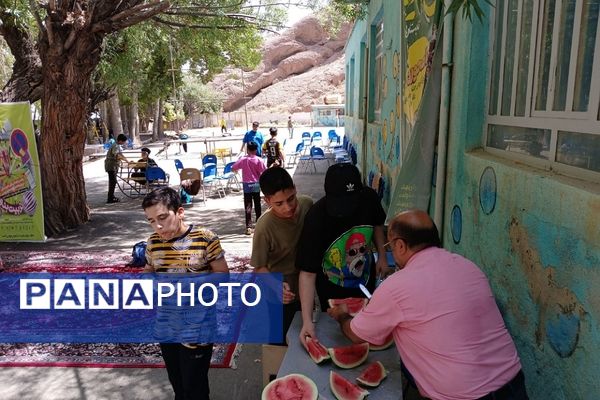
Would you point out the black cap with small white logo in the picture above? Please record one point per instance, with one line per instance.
(343, 186)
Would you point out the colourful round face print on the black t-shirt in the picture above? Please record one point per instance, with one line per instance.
(347, 262)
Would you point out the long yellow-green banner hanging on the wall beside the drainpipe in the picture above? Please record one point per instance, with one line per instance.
(421, 100)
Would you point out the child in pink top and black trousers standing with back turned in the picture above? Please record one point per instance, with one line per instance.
(252, 166)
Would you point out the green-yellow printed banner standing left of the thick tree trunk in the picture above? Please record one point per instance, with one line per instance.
(21, 207)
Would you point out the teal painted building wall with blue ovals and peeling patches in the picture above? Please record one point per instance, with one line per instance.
(535, 233)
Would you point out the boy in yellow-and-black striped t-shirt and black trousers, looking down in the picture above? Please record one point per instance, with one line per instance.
(178, 247)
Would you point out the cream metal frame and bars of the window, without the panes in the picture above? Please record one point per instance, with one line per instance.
(587, 122)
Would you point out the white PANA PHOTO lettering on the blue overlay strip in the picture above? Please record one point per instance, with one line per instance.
(132, 294)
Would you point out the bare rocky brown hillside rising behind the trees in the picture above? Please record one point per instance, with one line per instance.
(299, 68)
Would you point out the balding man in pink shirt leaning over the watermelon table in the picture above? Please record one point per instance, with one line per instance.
(441, 312)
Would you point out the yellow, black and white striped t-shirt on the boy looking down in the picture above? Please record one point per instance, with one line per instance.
(191, 252)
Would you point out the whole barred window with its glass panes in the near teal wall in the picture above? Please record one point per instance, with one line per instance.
(544, 104)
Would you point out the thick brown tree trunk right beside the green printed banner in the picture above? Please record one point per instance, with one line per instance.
(64, 101)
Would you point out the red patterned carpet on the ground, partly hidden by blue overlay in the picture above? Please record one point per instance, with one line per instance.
(105, 355)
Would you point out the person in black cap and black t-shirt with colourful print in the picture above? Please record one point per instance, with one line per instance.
(335, 252)
